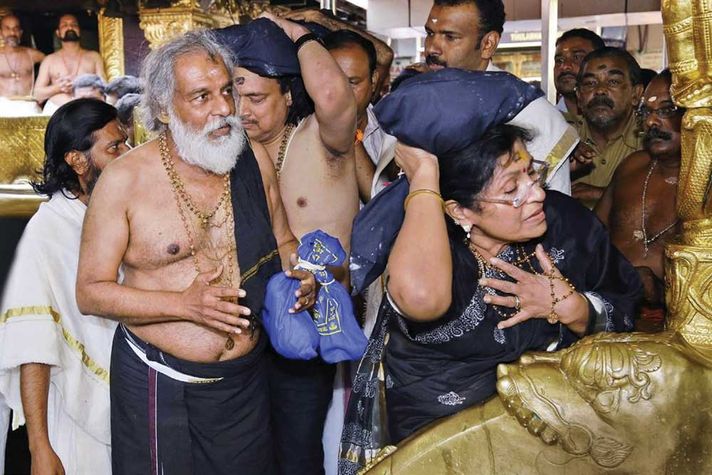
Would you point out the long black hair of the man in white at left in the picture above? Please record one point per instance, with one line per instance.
(71, 127)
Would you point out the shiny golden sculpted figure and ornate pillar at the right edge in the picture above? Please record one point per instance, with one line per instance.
(621, 403)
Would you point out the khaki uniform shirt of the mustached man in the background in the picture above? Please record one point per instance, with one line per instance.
(608, 159)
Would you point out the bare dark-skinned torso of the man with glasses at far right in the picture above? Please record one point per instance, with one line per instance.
(623, 207)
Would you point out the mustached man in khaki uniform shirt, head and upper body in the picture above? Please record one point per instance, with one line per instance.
(608, 90)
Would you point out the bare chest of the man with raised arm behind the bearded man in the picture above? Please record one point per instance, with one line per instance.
(319, 190)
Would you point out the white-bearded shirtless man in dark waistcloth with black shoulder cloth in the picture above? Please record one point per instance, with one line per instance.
(195, 221)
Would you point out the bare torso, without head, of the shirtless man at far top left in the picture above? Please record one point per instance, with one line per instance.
(17, 71)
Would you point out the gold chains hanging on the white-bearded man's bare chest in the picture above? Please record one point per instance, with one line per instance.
(178, 194)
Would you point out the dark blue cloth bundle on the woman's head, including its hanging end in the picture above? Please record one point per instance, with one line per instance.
(441, 112)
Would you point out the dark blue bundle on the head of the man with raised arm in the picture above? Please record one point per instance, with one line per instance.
(262, 47)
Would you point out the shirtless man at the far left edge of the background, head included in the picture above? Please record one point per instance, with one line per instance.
(17, 62)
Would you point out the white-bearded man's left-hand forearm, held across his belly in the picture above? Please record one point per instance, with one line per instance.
(129, 305)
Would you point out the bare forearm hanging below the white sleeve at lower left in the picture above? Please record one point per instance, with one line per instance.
(34, 389)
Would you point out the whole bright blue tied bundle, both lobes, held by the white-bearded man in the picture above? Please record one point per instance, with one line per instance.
(334, 329)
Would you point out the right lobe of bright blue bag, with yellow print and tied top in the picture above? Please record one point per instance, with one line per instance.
(340, 337)
